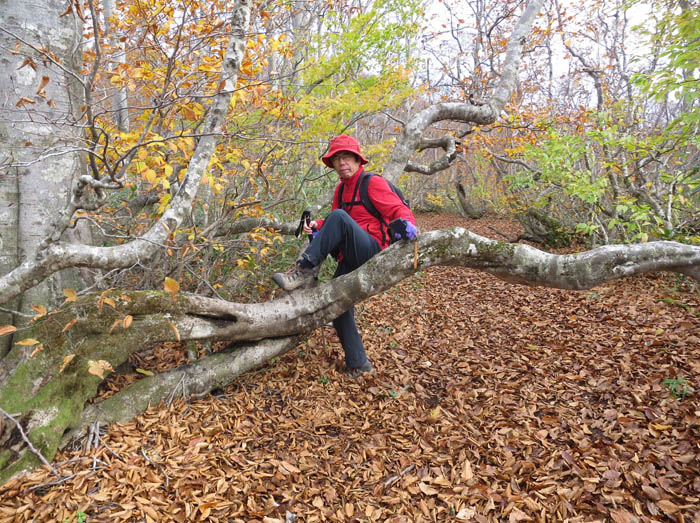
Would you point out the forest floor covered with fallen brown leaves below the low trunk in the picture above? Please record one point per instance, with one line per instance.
(490, 402)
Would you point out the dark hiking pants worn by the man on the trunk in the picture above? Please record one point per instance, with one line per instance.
(340, 233)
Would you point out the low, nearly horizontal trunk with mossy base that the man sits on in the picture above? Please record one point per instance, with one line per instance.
(49, 390)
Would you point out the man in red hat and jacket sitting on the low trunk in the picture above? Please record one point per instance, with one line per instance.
(356, 229)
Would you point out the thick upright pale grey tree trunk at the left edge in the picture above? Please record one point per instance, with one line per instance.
(39, 133)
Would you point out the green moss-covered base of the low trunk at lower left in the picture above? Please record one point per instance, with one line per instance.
(47, 391)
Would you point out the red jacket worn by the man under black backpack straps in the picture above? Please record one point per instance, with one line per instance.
(387, 203)
